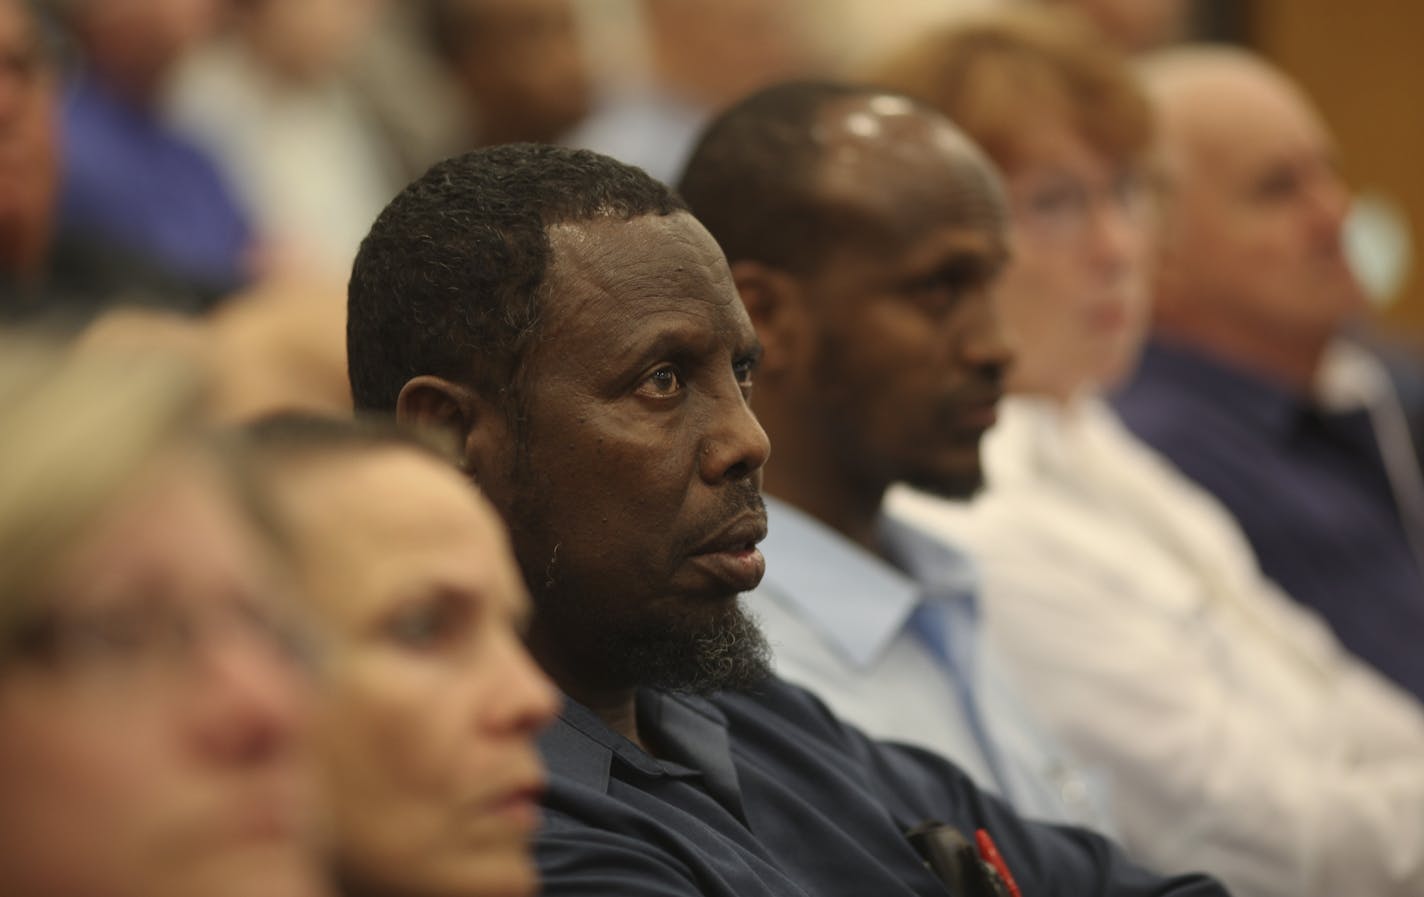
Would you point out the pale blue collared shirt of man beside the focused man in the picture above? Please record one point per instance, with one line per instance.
(902, 656)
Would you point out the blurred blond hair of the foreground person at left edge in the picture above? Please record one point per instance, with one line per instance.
(78, 428)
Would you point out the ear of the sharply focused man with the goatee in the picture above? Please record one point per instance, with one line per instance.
(455, 408)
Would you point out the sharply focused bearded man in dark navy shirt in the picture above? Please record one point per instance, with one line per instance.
(580, 334)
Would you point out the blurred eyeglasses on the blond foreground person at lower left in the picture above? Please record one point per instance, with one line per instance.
(152, 644)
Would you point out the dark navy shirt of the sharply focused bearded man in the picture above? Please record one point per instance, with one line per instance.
(768, 794)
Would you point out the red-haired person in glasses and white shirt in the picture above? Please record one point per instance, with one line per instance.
(1241, 738)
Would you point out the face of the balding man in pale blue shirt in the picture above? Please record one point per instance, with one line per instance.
(909, 351)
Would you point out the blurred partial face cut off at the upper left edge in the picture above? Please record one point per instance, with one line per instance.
(29, 143)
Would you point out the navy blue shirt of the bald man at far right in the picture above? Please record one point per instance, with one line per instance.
(1308, 488)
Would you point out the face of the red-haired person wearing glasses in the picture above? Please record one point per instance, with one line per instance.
(1076, 294)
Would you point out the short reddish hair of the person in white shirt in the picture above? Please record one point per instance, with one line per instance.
(1002, 76)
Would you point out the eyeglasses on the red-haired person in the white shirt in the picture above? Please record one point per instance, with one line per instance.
(1062, 209)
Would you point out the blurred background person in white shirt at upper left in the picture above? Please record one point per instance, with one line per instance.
(276, 105)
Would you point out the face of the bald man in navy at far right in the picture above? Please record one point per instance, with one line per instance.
(1254, 238)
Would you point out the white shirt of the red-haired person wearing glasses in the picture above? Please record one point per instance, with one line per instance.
(1241, 738)
